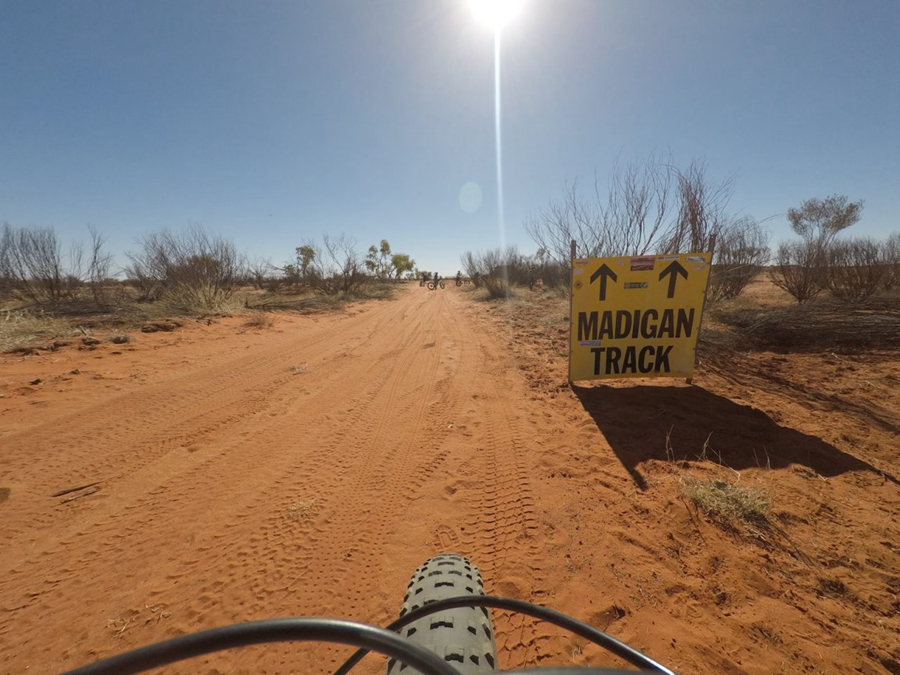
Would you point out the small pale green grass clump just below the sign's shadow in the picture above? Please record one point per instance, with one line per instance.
(729, 504)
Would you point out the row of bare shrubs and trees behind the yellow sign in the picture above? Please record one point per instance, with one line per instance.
(656, 208)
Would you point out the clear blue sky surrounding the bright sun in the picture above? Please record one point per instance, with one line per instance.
(275, 121)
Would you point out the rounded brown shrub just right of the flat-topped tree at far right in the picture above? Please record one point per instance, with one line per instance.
(855, 269)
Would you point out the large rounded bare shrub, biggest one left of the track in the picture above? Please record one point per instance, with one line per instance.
(192, 268)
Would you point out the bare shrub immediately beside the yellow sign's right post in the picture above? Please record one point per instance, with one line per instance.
(742, 250)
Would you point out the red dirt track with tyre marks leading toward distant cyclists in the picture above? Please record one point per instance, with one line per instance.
(233, 489)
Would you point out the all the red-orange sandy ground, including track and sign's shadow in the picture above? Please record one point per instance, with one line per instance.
(308, 469)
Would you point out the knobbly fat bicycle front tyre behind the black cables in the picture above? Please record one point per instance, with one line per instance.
(464, 637)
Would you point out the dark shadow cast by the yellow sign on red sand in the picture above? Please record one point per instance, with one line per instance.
(636, 420)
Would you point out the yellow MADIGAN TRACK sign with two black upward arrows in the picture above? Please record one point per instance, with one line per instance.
(636, 316)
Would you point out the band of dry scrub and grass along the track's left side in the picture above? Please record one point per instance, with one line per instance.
(51, 290)
